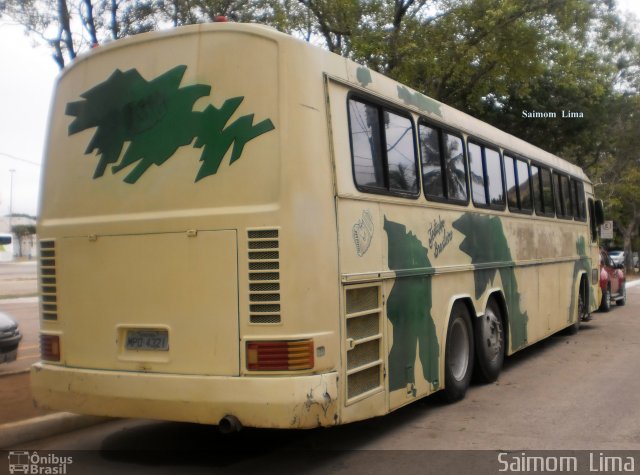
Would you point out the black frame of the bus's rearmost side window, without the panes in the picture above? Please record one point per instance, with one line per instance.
(383, 106)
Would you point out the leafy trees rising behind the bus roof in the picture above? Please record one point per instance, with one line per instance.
(491, 58)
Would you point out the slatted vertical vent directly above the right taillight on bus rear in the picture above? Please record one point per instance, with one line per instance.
(264, 276)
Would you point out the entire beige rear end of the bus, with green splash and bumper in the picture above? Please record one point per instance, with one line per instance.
(188, 236)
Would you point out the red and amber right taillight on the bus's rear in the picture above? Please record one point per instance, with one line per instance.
(279, 355)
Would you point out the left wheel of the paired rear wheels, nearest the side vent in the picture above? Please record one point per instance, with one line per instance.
(459, 352)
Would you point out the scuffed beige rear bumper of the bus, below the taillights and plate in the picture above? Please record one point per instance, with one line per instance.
(273, 402)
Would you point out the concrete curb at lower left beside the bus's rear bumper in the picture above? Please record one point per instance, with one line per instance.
(16, 433)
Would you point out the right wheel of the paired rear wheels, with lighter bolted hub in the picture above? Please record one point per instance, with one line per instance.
(489, 343)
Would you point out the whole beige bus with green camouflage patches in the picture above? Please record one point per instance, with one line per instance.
(239, 228)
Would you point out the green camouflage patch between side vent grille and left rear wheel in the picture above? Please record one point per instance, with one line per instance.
(409, 310)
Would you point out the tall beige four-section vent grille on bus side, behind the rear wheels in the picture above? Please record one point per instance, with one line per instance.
(364, 342)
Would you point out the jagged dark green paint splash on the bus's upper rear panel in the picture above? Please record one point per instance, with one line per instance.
(157, 118)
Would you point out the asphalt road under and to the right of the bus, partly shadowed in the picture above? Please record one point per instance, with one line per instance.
(566, 393)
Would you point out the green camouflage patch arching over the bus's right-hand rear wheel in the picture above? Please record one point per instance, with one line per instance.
(485, 242)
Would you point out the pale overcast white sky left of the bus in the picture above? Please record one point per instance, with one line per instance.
(27, 79)
